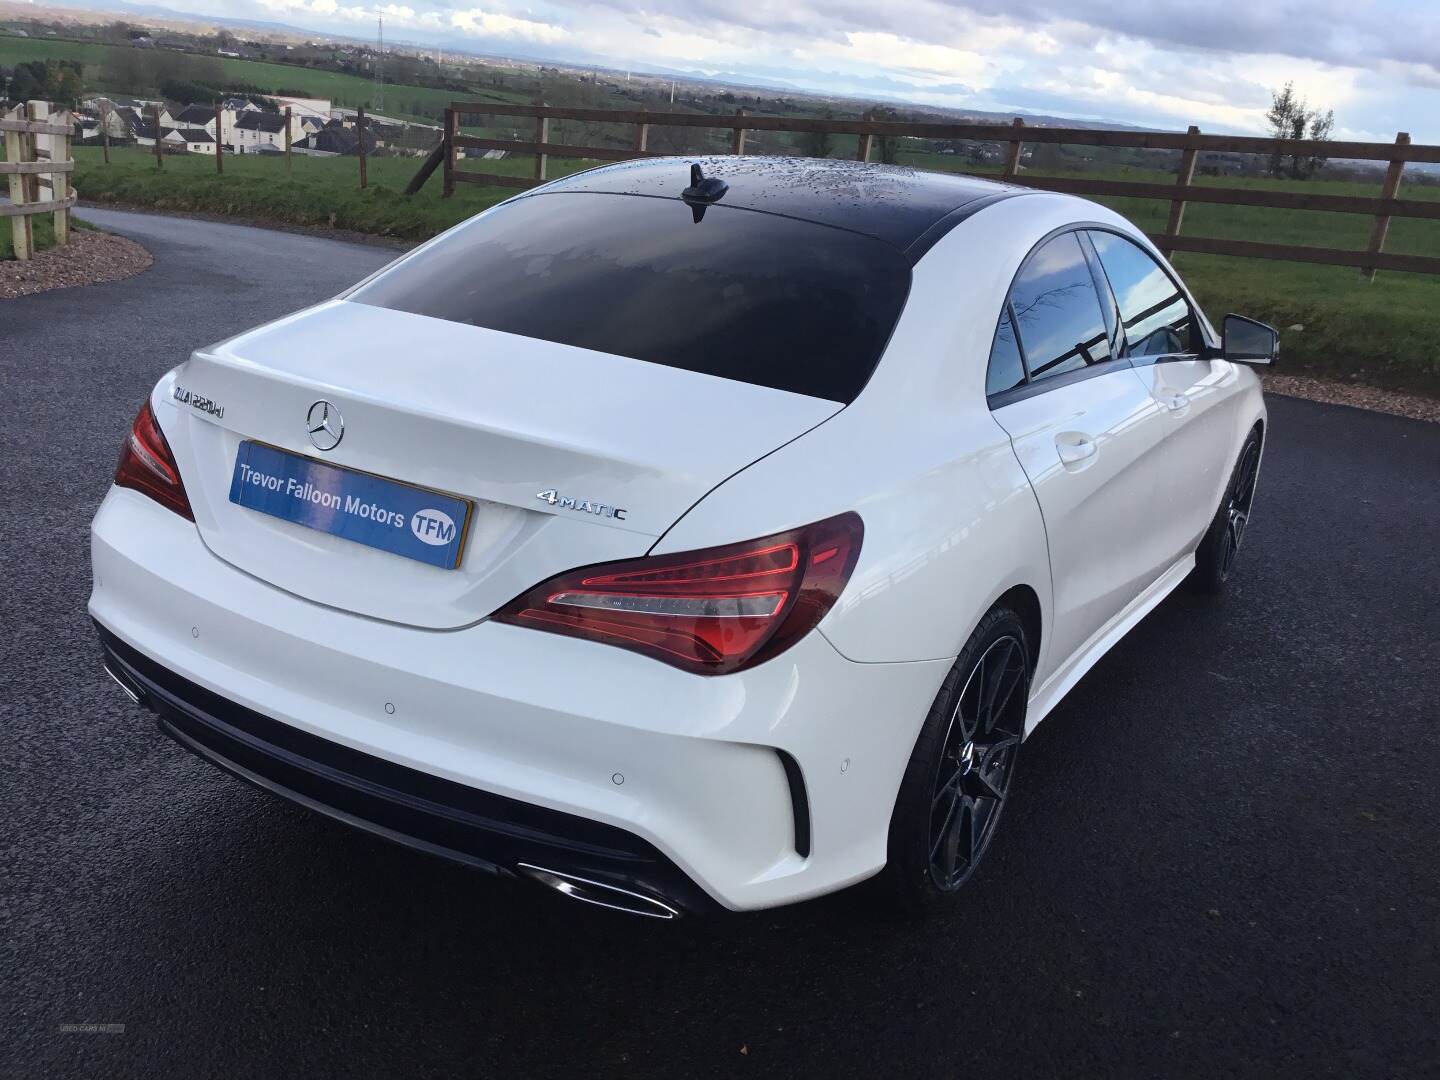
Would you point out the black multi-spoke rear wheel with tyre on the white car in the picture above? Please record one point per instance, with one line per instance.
(961, 770)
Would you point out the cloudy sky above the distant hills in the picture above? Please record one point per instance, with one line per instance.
(1161, 64)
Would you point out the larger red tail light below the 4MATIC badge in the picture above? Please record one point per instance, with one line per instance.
(712, 613)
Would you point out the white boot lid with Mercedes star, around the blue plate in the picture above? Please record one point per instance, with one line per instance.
(482, 414)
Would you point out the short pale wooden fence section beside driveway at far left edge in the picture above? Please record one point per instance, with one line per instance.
(37, 158)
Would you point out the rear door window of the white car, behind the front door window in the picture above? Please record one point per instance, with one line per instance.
(1058, 310)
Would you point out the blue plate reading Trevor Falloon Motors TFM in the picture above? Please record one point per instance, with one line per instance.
(402, 519)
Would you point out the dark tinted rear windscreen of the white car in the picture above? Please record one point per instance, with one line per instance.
(744, 296)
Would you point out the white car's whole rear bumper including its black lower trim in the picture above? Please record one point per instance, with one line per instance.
(499, 745)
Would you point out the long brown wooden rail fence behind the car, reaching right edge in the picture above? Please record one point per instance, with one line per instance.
(1016, 136)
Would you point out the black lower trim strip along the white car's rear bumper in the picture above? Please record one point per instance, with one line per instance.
(407, 806)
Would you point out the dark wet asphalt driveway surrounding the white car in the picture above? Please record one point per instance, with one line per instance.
(1222, 858)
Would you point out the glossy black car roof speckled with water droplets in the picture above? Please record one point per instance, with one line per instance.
(909, 208)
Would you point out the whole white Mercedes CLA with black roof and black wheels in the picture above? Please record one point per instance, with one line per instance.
(683, 536)
